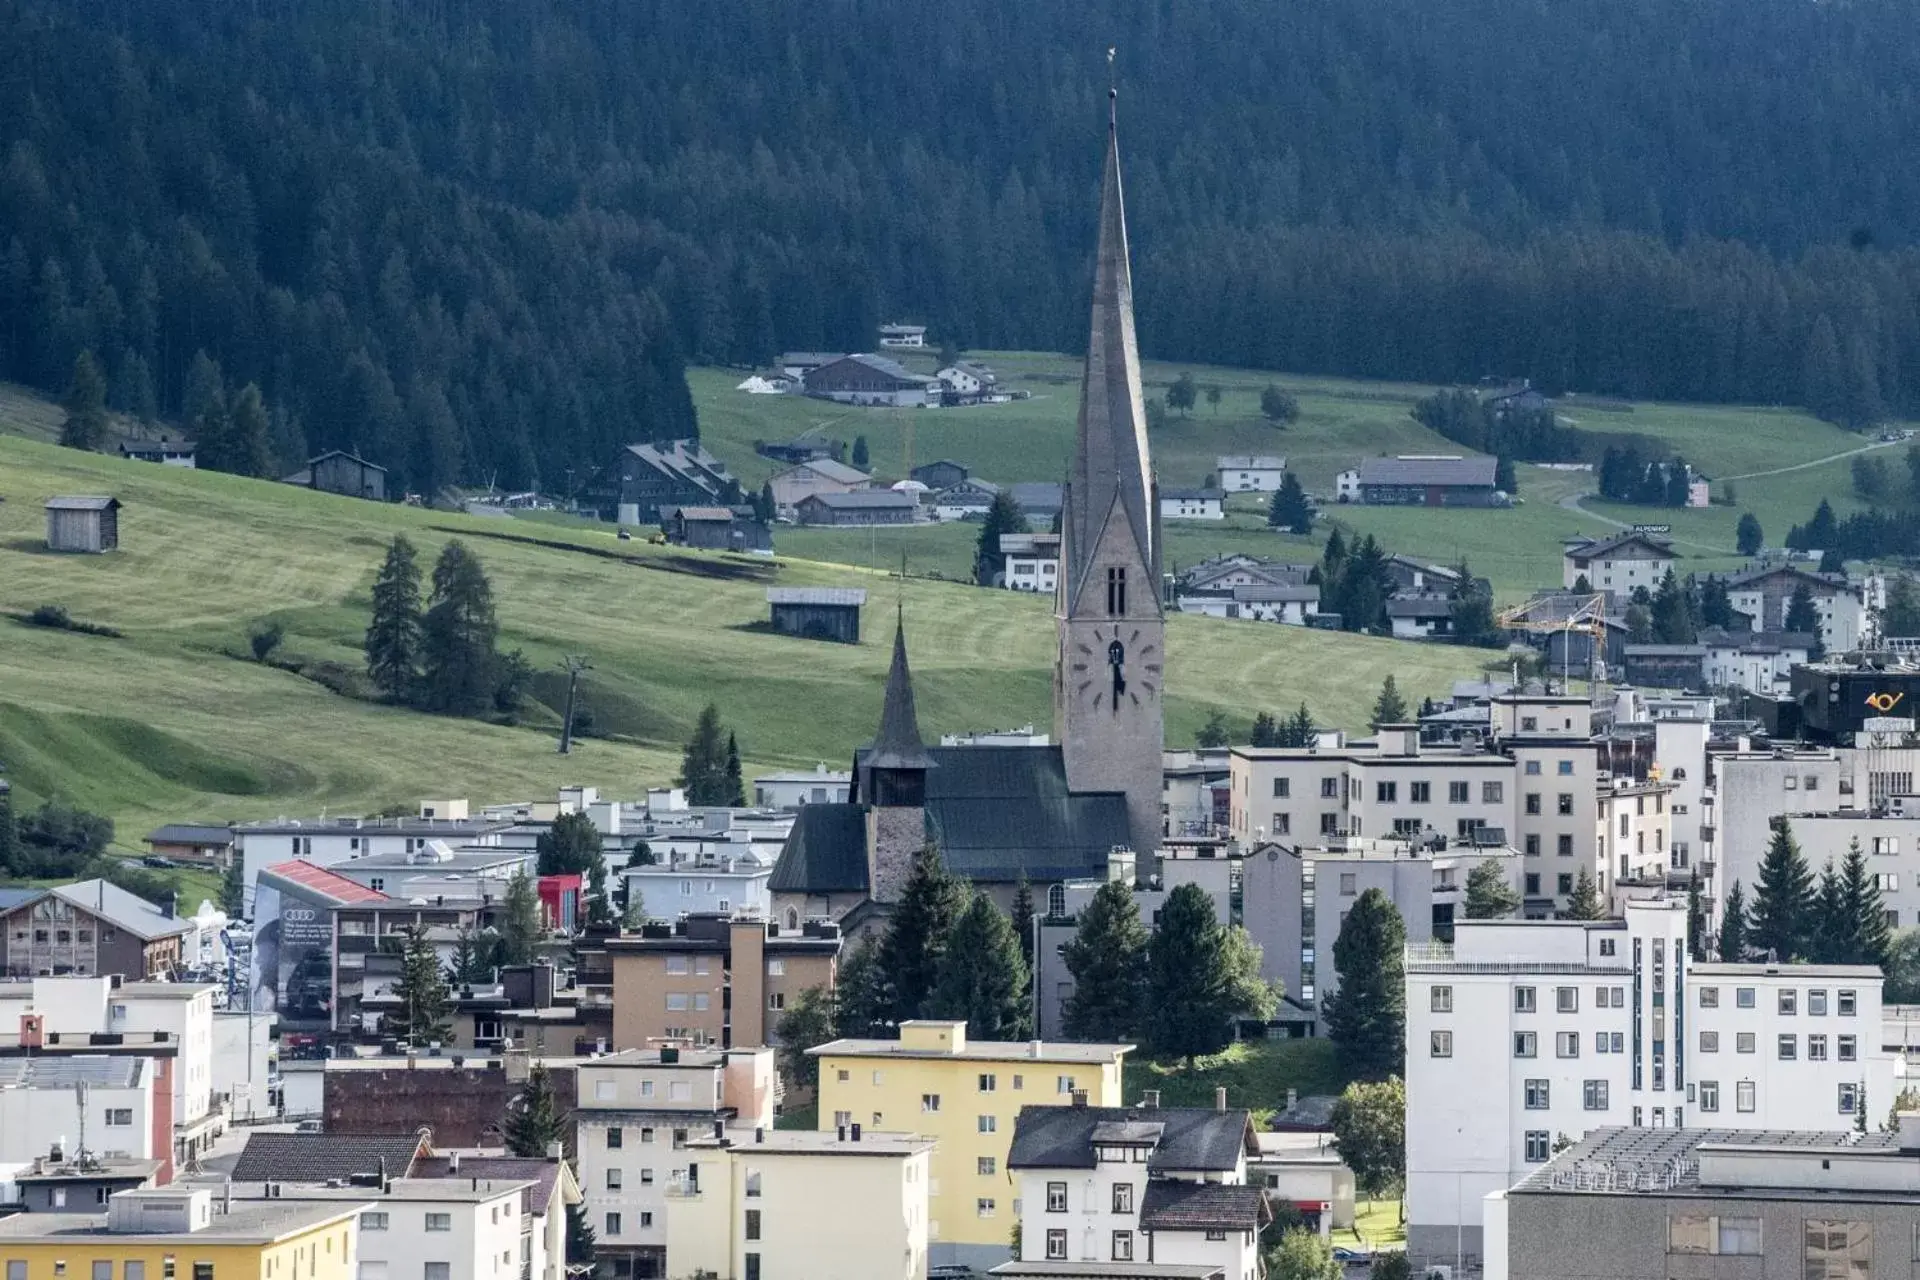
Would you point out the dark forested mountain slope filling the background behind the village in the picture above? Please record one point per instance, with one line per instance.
(479, 237)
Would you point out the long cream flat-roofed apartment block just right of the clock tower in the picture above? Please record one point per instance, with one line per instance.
(1533, 788)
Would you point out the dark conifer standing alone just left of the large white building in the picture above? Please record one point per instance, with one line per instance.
(1368, 1016)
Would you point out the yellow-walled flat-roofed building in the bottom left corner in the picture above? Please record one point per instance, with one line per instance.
(189, 1235)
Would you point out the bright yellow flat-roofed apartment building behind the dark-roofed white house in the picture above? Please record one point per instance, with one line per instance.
(965, 1095)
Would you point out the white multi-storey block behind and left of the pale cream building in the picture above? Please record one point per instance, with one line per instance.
(633, 1122)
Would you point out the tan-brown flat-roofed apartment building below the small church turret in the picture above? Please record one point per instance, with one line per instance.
(715, 980)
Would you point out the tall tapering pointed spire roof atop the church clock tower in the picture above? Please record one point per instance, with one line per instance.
(1113, 467)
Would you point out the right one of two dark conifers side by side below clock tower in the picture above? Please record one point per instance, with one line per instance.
(1189, 999)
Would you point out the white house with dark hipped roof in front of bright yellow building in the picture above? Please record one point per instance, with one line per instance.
(1124, 1187)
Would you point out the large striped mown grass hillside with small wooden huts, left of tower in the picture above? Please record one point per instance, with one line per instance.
(168, 724)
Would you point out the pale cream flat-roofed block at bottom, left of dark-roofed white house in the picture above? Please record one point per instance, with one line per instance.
(796, 1206)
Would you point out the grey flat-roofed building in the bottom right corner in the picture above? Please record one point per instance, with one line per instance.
(1683, 1204)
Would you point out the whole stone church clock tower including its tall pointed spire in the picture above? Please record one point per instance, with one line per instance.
(1111, 671)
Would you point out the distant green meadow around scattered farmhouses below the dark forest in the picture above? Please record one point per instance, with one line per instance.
(1339, 425)
